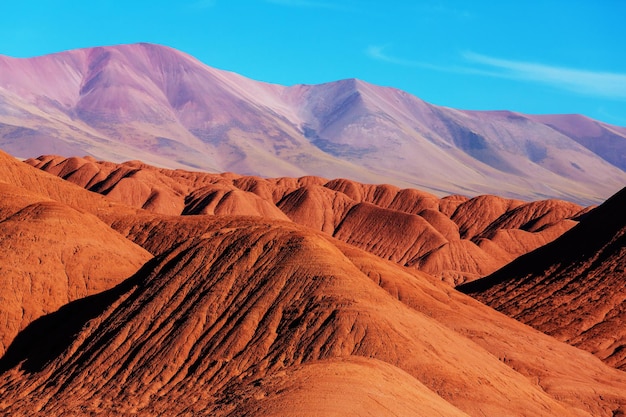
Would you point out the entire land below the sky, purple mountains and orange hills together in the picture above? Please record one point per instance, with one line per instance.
(180, 240)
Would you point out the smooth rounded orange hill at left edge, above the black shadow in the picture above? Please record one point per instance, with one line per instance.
(51, 254)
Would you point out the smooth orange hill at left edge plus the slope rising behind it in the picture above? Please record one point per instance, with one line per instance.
(52, 253)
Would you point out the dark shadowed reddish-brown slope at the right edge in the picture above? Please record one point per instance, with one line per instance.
(572, 288)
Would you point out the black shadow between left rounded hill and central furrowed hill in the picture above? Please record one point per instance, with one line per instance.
(47, 337)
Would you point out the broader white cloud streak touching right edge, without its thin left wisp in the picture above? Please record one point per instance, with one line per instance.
(597, 83)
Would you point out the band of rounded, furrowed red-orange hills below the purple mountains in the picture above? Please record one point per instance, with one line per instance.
(455, 238)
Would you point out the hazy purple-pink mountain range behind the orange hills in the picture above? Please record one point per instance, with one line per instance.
(164, 107)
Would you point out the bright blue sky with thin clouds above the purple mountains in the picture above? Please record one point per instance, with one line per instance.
(551, 56)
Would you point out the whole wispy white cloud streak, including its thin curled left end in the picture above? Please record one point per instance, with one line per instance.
(594, 83)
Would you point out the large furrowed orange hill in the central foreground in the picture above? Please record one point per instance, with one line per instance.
(221, 322)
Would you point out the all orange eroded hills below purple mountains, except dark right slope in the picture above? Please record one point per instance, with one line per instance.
(133, 290)
